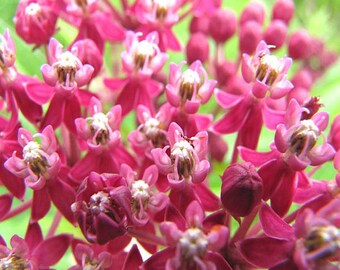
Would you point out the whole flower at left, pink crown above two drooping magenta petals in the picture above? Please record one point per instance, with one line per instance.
(40, 166)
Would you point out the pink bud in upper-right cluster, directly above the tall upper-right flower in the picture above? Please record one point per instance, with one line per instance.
(250, 36)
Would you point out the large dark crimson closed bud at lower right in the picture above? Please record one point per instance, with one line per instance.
(242, 189)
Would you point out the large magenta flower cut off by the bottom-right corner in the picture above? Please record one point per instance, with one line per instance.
(313, 242)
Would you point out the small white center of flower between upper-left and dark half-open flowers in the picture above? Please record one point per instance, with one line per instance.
(100, 128)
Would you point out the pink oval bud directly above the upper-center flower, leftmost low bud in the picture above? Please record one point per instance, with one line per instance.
(197, 48)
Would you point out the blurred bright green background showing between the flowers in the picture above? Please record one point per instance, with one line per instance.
(319, 17)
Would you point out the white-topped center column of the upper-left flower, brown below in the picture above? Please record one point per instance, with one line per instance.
(66, 68)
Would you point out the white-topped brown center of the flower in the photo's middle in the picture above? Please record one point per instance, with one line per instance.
(183, 153)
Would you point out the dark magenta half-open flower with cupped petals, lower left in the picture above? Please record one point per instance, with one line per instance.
(103, 207)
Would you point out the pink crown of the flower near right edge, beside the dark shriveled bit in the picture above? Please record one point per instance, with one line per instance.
(297, 138)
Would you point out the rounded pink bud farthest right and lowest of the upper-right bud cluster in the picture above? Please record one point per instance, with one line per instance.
(299, 46)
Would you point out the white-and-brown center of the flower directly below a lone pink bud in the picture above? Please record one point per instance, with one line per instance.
(190, 82)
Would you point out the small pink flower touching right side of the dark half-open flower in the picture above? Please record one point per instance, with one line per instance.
(146, 201)
